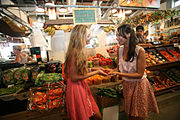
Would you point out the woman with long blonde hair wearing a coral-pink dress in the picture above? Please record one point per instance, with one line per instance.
(79, 101)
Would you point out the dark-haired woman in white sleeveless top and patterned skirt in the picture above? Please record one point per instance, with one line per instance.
(138, 93)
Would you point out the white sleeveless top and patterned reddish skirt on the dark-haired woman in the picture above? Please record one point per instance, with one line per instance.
(138, 93)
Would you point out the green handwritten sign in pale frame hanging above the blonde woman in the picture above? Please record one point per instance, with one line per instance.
(84, 16)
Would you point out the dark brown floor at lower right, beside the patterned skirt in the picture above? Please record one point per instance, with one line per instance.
(169, 106)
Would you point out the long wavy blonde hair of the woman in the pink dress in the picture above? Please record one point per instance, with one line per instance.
(77, 44)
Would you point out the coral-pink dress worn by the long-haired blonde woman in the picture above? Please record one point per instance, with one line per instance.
(80, 103)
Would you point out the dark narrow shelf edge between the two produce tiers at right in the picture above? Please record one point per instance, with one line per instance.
(164, 65)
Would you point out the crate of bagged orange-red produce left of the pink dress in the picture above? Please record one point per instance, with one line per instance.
(47, 97)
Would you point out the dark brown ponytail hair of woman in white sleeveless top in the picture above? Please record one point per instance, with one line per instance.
(132, 40)
